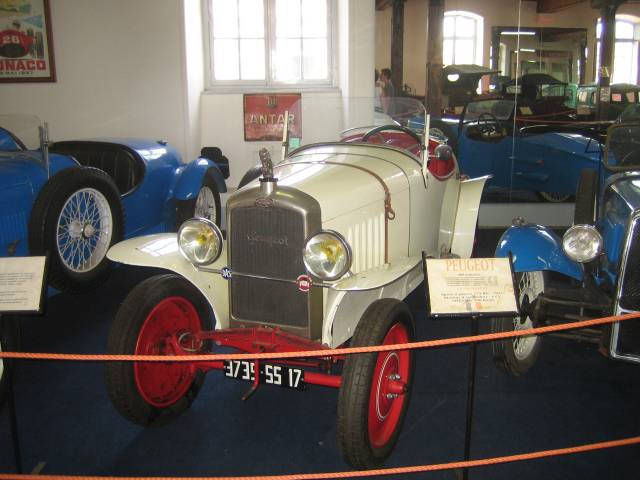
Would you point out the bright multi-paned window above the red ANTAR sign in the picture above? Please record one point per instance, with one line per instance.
(270, 42)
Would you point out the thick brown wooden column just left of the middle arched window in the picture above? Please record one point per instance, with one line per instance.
(433, 86)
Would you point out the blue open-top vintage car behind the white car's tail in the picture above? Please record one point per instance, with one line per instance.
(524, 154)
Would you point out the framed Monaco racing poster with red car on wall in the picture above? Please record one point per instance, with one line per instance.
(26, 45)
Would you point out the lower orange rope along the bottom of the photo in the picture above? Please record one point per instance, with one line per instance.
(365, 473)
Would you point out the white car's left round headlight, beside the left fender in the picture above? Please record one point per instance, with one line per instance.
(200, 241)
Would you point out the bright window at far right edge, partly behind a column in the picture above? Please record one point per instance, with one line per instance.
(625, 61)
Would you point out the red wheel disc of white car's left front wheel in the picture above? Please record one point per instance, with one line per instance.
(162, 384)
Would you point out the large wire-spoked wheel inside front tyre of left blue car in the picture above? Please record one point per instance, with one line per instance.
(84, 230)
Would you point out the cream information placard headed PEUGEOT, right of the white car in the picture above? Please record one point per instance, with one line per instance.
(469, 286)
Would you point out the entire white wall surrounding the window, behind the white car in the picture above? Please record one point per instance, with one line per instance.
(137, 69)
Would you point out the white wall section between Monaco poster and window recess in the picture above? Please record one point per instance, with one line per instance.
(120, 72)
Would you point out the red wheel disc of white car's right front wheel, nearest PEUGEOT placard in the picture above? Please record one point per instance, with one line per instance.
(388, 392)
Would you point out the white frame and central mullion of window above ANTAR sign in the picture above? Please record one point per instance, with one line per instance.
(269, 84)
